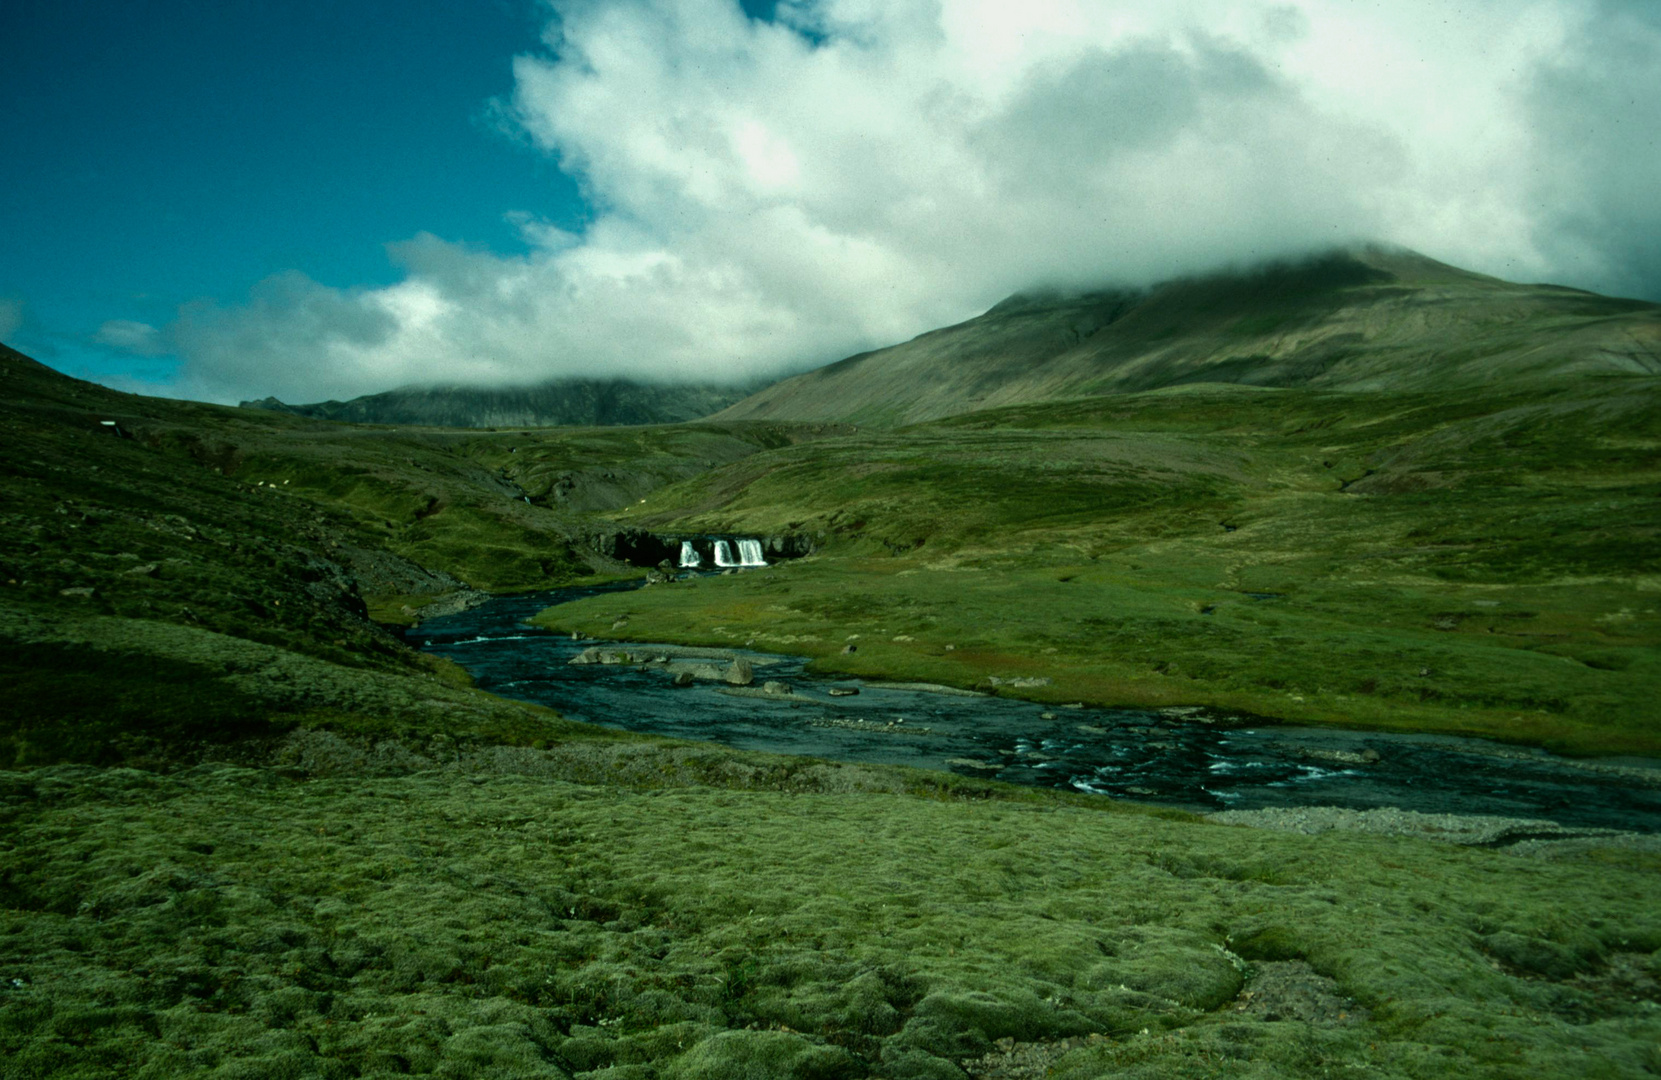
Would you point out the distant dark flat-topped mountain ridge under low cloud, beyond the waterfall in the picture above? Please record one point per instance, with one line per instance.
(566, 403)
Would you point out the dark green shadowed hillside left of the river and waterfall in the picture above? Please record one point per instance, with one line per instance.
(177, 576)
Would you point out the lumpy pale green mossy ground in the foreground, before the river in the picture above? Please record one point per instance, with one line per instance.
(492, 918)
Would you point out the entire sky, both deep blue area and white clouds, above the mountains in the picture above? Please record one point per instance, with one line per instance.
(232, 200)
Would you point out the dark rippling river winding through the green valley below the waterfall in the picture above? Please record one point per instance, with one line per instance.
(1169, 757)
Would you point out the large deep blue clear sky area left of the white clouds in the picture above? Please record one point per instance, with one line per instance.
(162, 152)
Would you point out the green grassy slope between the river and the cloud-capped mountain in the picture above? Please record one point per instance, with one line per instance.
(1474, 567)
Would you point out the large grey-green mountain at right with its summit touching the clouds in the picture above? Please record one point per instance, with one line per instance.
(1360, 320)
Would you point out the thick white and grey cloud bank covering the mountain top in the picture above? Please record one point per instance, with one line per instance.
(777, 194)
